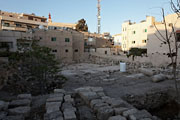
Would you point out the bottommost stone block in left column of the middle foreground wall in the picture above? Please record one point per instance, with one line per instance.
(53, 115)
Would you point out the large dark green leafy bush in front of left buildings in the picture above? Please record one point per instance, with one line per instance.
(37, 69)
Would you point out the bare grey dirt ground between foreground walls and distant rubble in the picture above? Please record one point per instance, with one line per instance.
(115, 83)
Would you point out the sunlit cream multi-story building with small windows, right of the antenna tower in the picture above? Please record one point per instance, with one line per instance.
(135, 35)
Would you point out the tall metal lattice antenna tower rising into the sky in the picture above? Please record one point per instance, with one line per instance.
(99, 17)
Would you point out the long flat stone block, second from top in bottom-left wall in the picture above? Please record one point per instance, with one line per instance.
(22, 102)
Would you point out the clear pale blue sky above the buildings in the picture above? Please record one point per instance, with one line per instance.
(113, 12)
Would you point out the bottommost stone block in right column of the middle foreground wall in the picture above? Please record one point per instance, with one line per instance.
(69, 114)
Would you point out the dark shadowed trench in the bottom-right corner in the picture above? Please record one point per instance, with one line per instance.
(160, 104)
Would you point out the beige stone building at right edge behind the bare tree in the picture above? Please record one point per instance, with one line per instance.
(156, 49)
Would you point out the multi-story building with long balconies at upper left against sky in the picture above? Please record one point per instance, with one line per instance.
(21, 22)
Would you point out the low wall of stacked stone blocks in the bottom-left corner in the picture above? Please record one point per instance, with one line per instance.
(18, 109)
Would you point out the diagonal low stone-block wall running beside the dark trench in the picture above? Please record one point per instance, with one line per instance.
(107, 108)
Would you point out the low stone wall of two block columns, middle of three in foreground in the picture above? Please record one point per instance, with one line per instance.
(60, 106)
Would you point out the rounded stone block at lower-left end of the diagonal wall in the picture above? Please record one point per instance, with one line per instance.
(104, 113)
